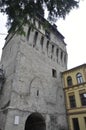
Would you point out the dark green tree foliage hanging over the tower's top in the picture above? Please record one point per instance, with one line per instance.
(18, 10)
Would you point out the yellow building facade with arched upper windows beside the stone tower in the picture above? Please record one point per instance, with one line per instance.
(75, 97)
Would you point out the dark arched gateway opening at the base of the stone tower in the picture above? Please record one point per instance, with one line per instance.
(35, 122)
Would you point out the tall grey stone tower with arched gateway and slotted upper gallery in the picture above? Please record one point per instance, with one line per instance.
(31, 97)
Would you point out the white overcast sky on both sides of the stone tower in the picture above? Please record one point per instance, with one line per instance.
(74, 30)
